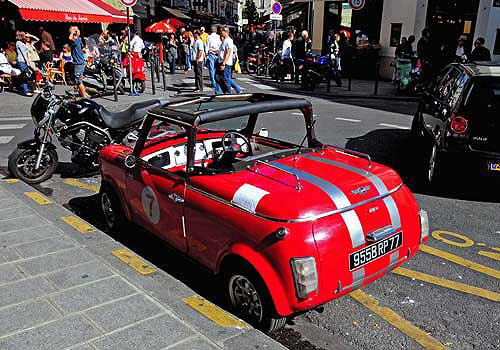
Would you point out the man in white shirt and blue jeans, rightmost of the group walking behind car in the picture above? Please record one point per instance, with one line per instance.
(225, 63)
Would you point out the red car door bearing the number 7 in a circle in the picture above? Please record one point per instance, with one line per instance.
(155, 194)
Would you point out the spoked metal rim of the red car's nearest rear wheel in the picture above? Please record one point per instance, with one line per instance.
(245, 298)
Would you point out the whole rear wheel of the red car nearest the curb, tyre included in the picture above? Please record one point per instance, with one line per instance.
(248, 298)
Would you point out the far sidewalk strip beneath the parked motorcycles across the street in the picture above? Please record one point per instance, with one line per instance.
(360, 89)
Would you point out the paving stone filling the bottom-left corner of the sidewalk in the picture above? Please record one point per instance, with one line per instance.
(56, 335)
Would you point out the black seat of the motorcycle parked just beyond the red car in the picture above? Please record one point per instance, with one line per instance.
(137, 111)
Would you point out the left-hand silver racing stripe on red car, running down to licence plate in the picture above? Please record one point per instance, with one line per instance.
(338, 198)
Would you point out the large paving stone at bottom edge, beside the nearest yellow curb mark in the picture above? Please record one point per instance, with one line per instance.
(154, 334)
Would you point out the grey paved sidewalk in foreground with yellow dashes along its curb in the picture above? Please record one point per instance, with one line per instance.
(66, 285)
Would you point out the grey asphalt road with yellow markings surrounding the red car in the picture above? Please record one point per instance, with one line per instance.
(448, 296)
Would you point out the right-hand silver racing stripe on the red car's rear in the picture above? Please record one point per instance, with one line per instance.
(374, 179)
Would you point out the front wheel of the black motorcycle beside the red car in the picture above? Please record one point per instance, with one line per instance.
(22, 165)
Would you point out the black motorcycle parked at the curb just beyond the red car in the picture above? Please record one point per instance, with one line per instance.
(82, 126)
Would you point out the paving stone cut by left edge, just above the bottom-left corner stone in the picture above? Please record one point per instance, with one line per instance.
(18, 317)
